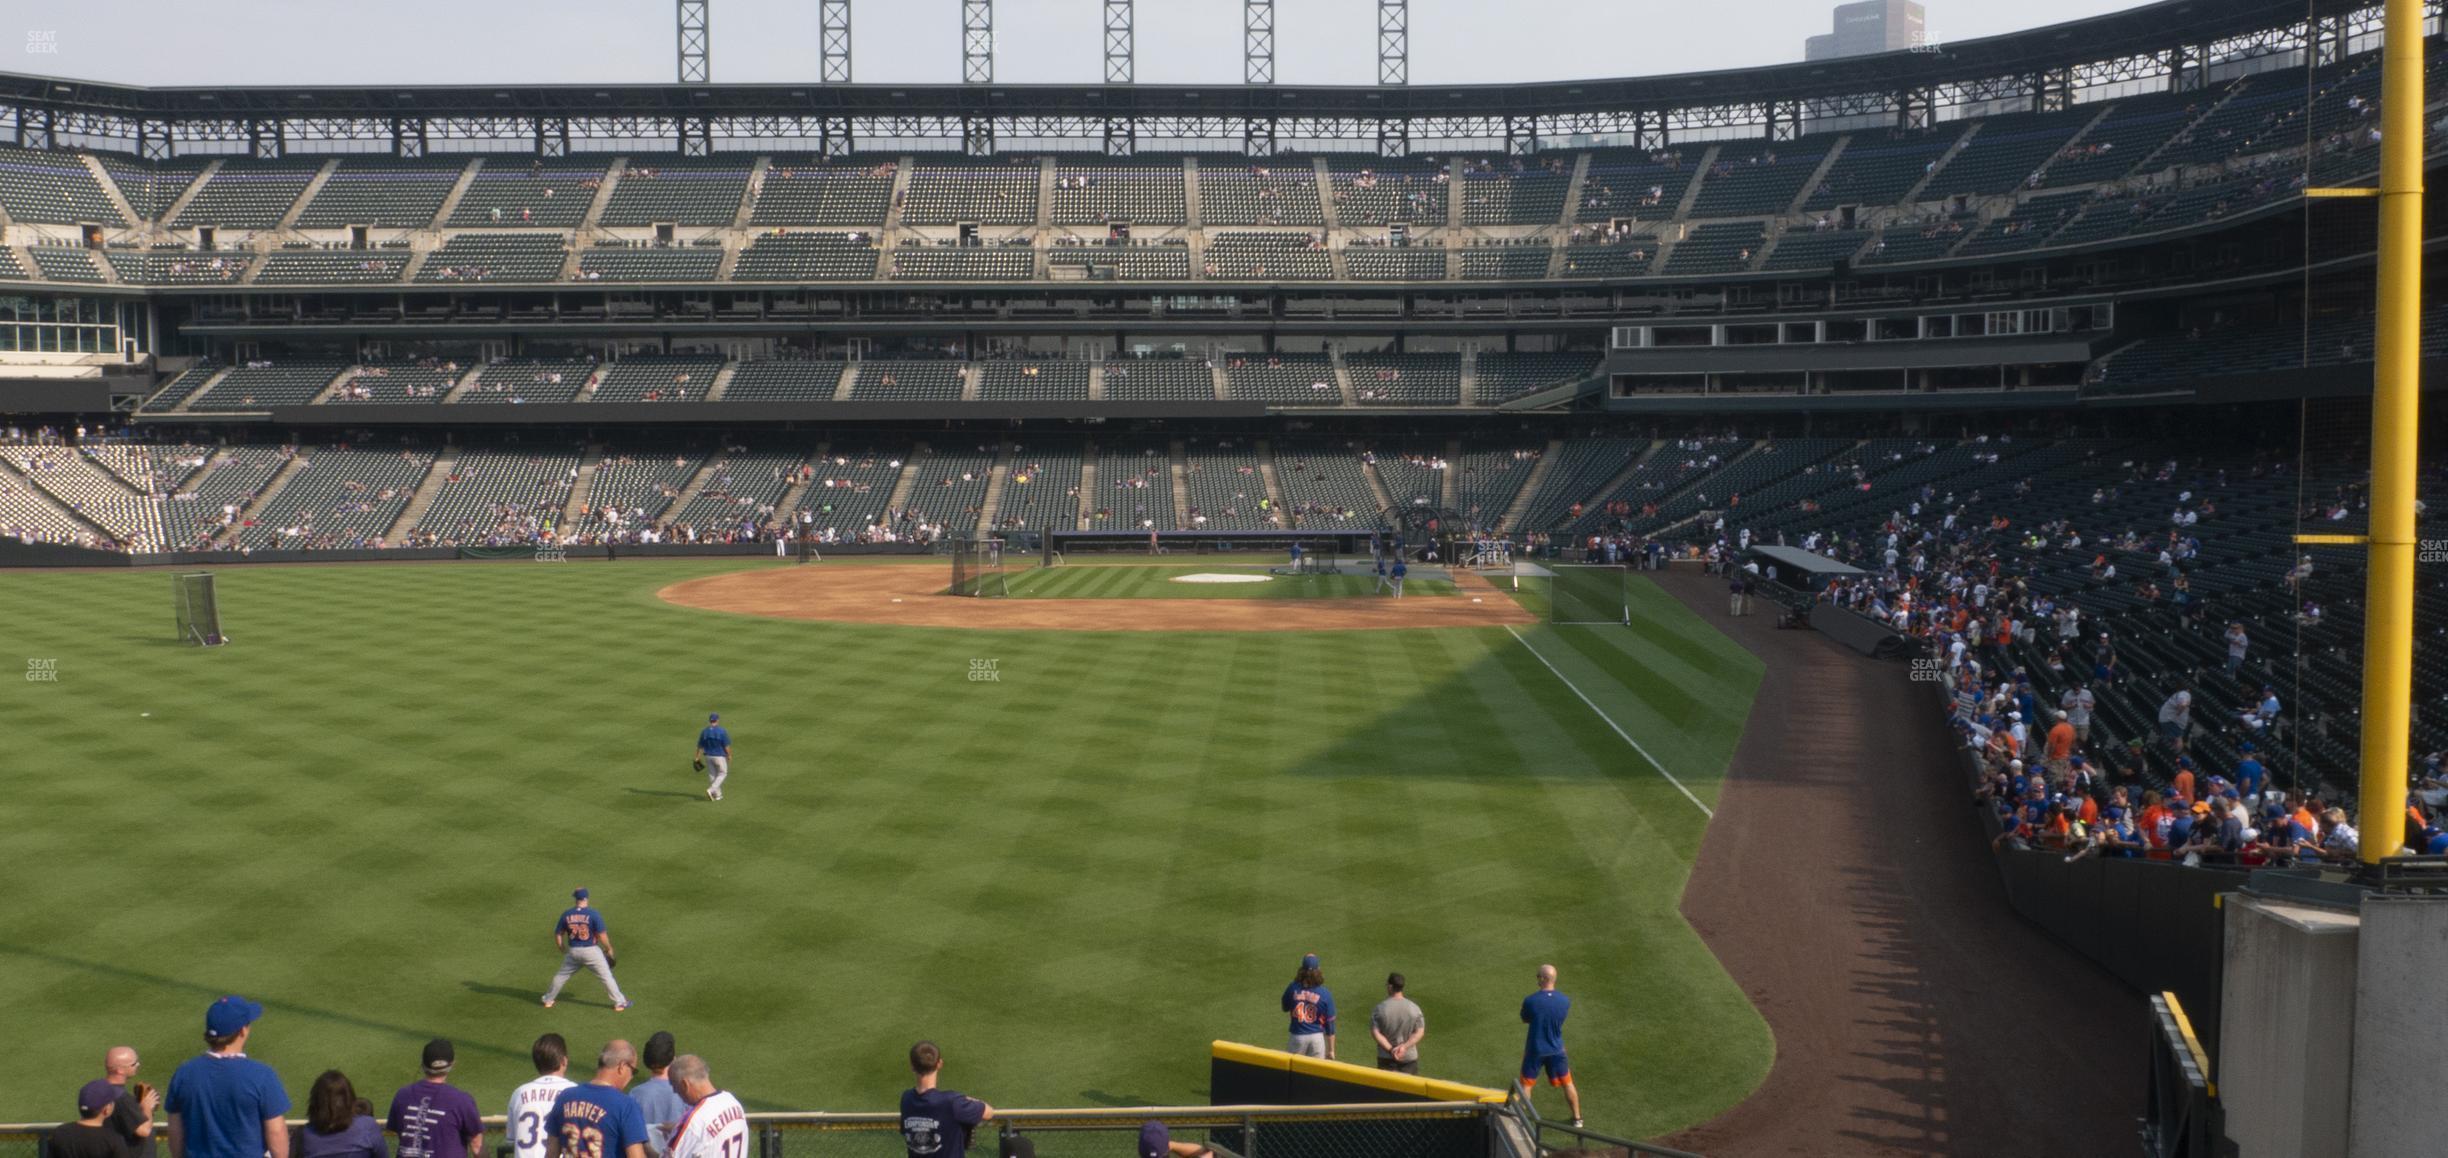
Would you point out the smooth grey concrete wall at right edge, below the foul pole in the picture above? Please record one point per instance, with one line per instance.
(2400, 1027)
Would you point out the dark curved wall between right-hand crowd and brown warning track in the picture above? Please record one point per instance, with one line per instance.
(2153, 924)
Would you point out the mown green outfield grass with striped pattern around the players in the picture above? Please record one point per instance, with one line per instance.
(368, 809)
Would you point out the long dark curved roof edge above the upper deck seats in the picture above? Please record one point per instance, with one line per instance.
(2121, 35)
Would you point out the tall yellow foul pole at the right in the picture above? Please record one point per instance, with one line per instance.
(2388, 628)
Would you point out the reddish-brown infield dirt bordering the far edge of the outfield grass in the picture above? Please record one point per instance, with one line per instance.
(912, 596)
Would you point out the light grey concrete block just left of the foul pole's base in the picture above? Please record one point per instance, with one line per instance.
(2288, 1027)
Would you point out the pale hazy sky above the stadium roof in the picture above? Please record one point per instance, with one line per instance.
(344, 43)
